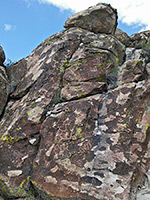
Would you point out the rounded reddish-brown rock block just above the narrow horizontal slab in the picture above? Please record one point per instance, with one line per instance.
(94, 67)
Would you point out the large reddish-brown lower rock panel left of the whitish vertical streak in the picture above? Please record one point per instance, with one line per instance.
(66, 143)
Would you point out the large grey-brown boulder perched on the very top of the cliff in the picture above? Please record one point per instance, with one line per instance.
(101, 18)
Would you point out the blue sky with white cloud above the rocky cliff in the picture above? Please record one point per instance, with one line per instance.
(25, 24)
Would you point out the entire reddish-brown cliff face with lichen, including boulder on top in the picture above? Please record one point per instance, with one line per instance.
(75, 114)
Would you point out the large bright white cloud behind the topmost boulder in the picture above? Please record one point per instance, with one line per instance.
(130, 11)
